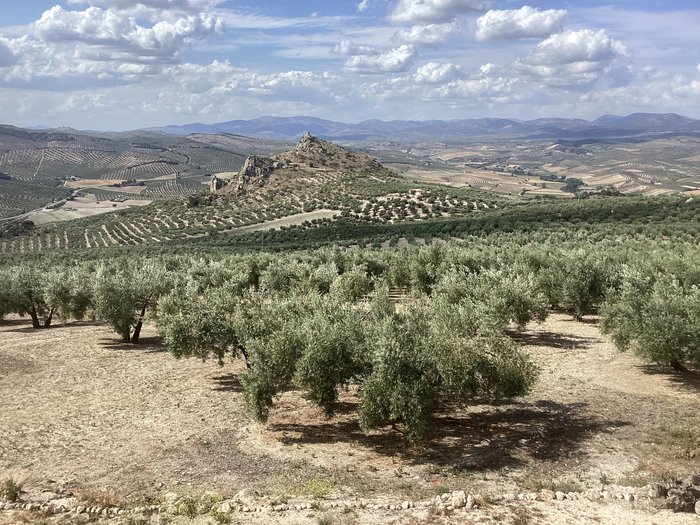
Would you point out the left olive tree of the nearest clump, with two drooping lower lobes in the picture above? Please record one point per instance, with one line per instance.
(308, 343)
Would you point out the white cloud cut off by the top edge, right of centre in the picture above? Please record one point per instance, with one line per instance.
(433, 11)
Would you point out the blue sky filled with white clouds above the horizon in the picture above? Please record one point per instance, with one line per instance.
(128, 64)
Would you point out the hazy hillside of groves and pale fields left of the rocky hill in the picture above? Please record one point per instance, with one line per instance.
(40, 168)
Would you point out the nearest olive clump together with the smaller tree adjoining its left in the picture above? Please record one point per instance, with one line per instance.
(407, 363)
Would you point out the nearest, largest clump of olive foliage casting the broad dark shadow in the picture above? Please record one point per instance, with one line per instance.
(406, 364)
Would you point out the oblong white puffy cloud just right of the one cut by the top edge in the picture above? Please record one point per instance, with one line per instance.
(526, 22)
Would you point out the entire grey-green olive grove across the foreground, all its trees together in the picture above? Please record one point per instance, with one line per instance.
(320, 321)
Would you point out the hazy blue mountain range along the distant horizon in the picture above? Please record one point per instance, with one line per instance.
(641, 125)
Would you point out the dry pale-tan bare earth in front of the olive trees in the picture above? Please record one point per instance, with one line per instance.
(82, 413)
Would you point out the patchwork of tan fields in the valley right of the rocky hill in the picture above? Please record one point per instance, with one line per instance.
(651, 167)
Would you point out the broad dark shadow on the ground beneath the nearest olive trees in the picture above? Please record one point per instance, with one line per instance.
(482, 438)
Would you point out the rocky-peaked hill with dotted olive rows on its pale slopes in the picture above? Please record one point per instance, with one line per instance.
(308, 187)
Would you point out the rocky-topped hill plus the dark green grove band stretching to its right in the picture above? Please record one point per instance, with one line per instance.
(319, 193)
